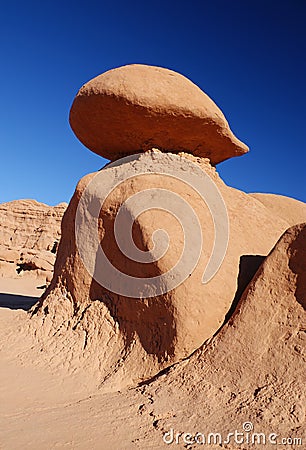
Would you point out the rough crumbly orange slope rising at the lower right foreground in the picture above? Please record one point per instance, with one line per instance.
(253, 370)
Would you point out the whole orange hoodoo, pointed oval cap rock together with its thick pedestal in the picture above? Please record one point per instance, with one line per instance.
(127, 340)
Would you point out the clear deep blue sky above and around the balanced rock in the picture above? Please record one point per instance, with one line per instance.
(249, 56)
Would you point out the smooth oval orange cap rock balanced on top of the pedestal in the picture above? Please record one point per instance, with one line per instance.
(137, 107)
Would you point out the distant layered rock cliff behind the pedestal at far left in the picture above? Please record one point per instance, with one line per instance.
(29, 237)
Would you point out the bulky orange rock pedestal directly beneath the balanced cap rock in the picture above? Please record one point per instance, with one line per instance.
(120, 340)
